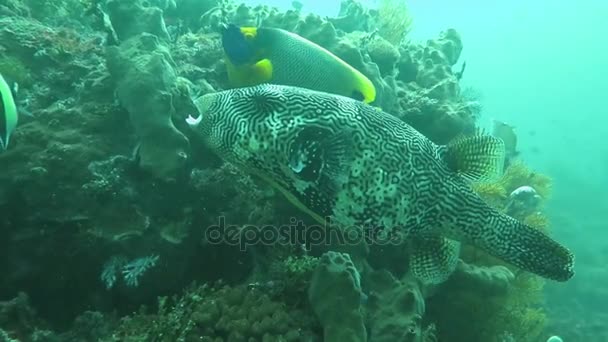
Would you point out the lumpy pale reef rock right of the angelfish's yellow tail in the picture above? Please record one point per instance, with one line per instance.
(428, 92)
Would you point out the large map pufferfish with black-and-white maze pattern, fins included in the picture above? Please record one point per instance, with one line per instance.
(336, 157)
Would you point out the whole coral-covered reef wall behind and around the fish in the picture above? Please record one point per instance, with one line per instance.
(104, 195)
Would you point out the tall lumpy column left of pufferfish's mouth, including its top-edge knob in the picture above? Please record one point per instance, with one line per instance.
(142, 68)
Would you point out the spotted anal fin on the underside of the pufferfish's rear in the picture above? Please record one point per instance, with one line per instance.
(433, 258)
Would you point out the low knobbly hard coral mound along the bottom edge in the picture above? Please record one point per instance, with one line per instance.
(220, 313)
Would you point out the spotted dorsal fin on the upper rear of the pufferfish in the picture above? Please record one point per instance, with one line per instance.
(476, 158)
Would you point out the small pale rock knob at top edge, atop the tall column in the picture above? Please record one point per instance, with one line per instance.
(130, 18)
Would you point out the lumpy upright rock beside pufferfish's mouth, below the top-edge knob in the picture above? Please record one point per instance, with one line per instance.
(144, 73)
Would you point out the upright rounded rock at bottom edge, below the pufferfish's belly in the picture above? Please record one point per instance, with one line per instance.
(336, 297)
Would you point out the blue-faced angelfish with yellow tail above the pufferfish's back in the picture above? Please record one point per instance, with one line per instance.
(270, 55)
